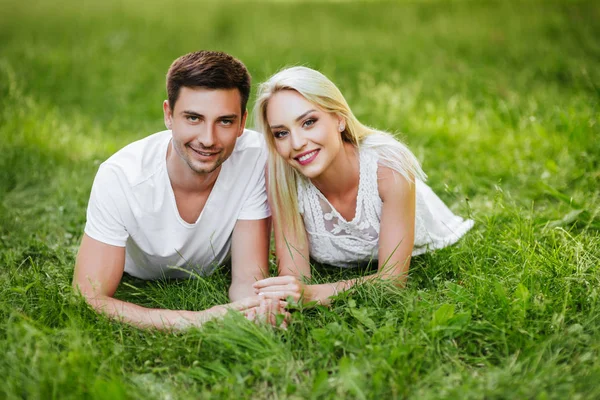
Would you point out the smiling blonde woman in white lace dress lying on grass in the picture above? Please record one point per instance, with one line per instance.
(340, 192)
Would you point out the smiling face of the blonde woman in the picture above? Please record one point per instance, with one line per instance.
(307, 137)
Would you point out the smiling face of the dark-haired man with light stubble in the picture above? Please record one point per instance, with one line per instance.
(205, 125)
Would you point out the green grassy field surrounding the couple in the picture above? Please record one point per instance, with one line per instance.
(500, 102)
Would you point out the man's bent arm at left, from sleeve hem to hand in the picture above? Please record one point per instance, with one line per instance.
(98, 271)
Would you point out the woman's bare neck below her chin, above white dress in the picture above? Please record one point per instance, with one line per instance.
(342, 175)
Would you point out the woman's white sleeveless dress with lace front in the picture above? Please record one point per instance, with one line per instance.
(335, 241)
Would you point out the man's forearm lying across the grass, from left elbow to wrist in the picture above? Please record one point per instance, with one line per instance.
(143, 317)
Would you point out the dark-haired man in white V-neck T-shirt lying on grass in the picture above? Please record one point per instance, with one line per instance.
(181, 201)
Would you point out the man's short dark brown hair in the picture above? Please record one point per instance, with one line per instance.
(208, 69)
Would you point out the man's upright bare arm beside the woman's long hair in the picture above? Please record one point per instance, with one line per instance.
(249, 256)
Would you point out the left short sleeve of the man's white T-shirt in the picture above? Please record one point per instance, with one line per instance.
(106, 209)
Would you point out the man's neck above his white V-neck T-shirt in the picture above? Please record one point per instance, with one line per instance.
(182, 177)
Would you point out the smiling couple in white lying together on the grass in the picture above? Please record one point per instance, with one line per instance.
(182, 201)
